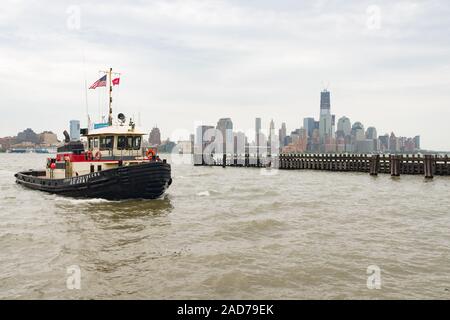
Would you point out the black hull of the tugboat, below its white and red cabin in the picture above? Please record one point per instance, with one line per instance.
(142, 181)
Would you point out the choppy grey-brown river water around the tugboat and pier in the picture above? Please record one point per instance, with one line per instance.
(230, 233)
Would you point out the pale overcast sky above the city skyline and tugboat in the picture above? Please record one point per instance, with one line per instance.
(386, 63)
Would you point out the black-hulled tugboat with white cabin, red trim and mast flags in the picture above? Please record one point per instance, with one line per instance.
(114, 166)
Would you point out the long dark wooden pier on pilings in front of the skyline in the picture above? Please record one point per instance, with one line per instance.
(395, 165)
